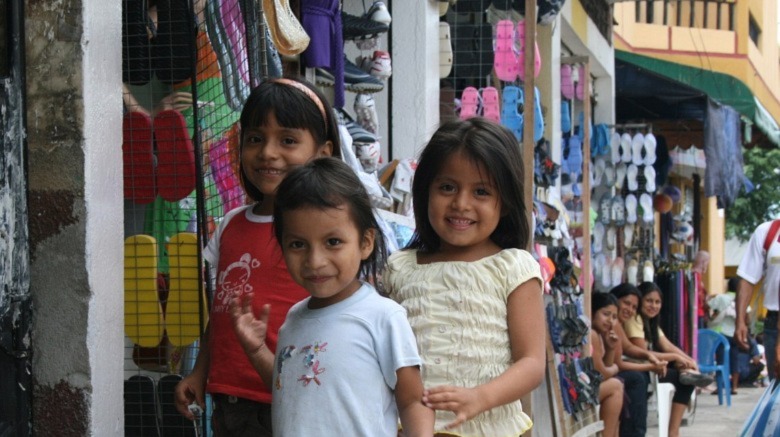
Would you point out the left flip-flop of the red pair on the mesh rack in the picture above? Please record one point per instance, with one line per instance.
(138, 158)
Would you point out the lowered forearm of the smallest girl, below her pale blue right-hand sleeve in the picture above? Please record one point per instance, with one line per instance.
(416, 418)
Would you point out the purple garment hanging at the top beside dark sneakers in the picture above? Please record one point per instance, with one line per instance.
(322, 21)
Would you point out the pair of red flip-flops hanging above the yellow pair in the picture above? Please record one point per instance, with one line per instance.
(170, 173)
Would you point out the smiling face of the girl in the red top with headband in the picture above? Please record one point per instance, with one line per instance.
(270, 151)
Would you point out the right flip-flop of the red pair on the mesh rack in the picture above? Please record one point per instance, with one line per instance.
(175, 156)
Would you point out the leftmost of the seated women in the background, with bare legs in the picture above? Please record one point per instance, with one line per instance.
(604, 341)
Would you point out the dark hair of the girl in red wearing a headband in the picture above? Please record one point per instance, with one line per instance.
(293, 108)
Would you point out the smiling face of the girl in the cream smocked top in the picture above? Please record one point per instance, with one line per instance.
(464, 209)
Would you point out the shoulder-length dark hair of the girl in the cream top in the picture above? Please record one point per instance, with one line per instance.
(496, 150)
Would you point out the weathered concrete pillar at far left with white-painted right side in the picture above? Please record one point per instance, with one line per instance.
(75, 186)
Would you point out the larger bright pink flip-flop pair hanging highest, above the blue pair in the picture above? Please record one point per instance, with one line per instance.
(510, 51)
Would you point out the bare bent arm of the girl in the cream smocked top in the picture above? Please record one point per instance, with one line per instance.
(526, 322)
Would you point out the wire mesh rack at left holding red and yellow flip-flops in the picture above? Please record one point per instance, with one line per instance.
(188, 66)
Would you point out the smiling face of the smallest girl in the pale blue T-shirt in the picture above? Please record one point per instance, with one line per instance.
(325, 258)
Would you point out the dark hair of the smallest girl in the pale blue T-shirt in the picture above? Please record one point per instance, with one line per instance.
(330, 183)
